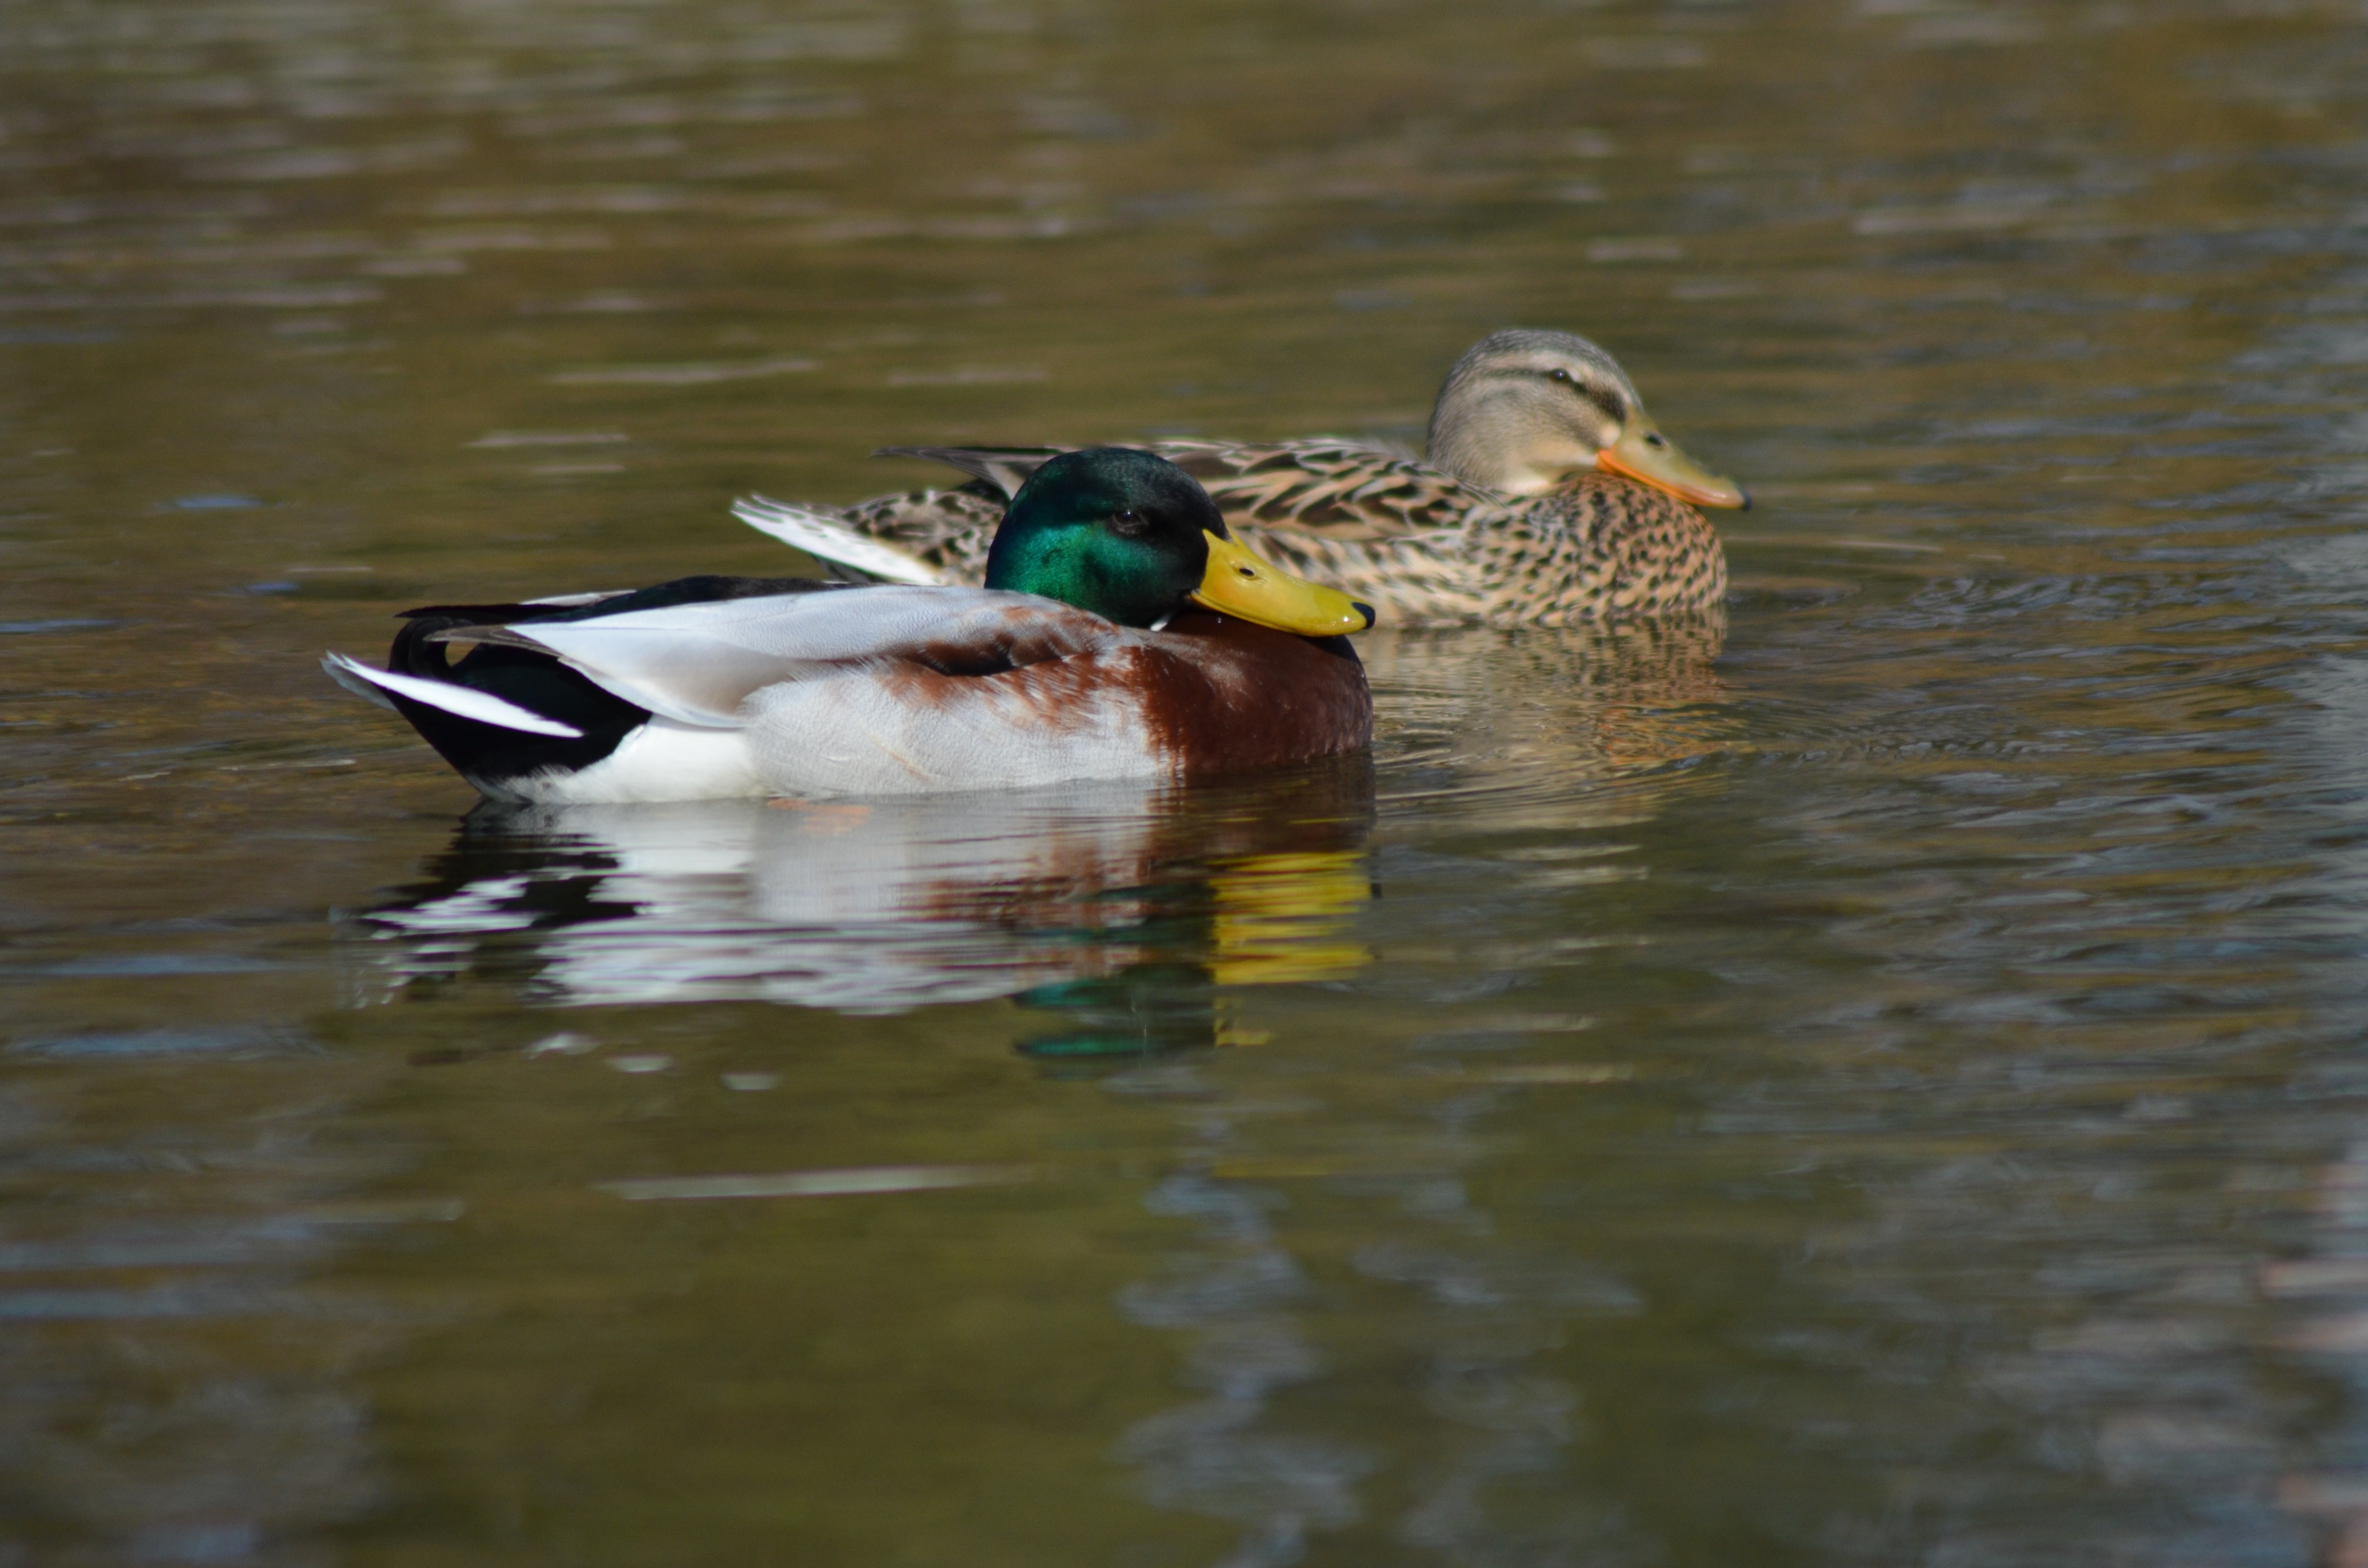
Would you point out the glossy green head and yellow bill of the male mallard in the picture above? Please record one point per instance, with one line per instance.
(1135, 539)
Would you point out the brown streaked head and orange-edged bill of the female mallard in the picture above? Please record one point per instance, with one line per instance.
(1524, 411)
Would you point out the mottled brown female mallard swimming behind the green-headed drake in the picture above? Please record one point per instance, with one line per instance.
(1550, 499)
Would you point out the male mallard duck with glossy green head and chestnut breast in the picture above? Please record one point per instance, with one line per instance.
(1121, 636)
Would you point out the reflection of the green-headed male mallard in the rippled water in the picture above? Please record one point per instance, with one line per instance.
(1114, 906)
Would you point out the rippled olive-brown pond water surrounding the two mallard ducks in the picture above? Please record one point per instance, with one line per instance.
(1872, 1084)
